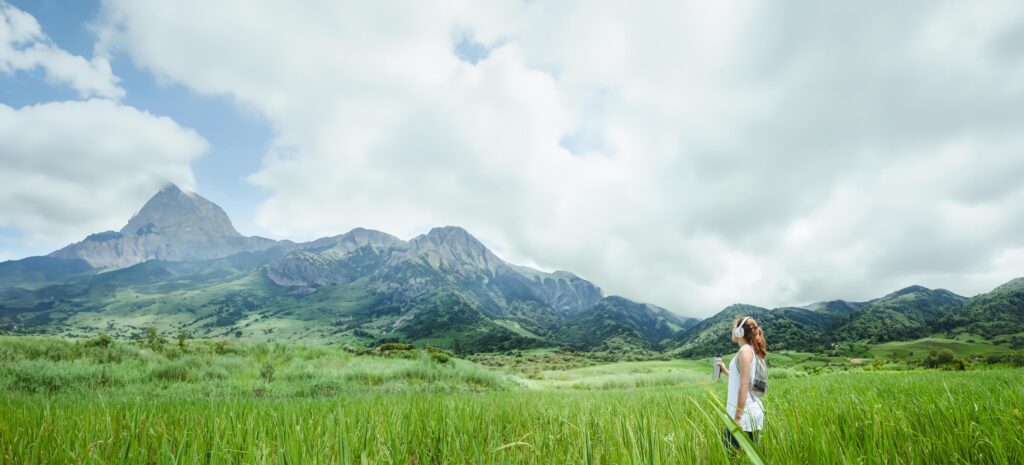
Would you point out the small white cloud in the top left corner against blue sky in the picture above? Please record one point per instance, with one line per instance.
(25, 48)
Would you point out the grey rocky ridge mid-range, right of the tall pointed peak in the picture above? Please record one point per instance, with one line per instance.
(445, 257)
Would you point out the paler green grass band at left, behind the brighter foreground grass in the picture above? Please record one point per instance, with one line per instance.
(51, 366)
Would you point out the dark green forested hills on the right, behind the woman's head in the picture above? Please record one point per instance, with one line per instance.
(909, 315)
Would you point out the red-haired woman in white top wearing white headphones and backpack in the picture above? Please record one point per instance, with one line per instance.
(744, 408)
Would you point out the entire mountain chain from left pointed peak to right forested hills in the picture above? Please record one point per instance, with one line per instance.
(180, 265)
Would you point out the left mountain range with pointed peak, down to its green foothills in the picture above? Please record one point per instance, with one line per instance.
(180, 265)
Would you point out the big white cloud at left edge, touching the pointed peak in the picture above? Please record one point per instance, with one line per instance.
(73, 168)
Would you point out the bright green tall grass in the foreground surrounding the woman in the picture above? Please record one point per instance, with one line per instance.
(864, 418)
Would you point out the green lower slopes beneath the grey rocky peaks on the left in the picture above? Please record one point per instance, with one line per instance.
(236, 298)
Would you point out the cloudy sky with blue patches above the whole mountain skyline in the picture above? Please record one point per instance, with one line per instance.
(691, 155)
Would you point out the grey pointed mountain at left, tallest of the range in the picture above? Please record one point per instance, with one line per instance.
(175, 226)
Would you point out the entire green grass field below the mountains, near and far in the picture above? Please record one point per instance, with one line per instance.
(64, 403)
